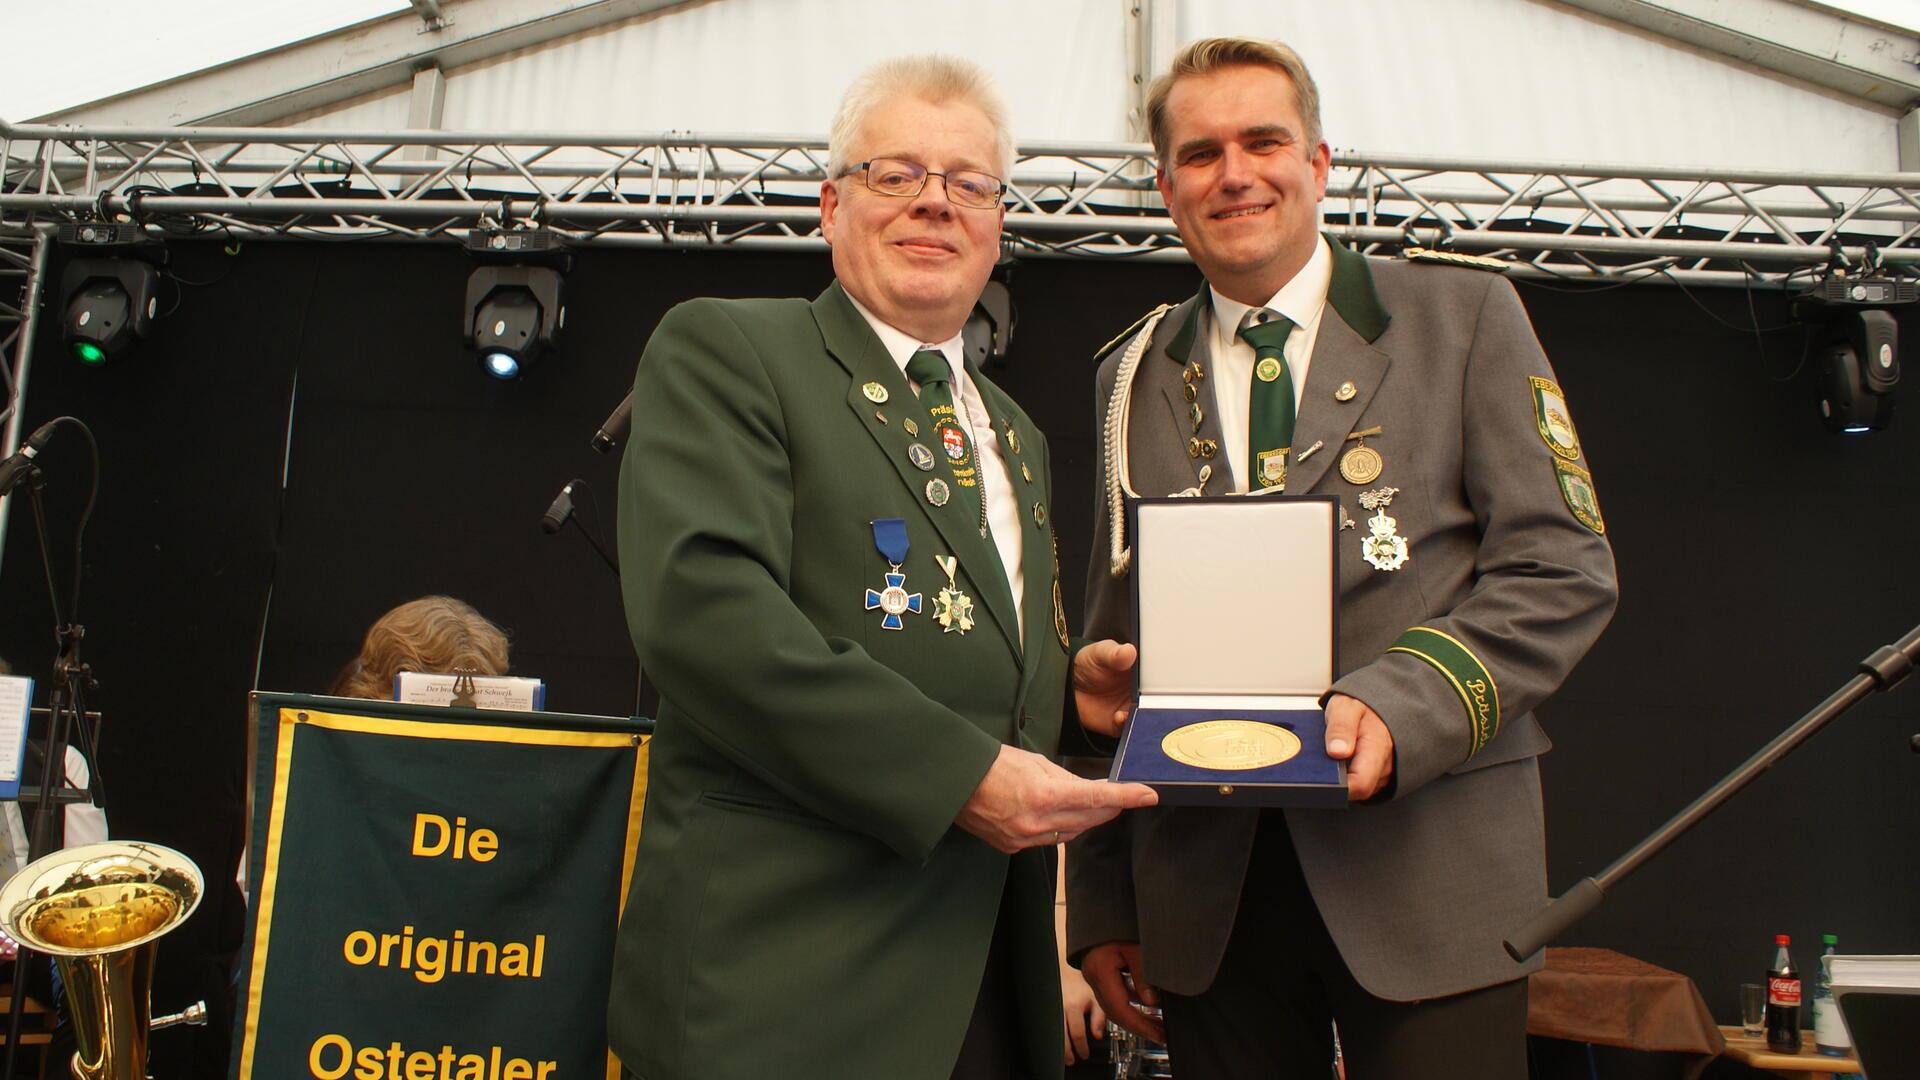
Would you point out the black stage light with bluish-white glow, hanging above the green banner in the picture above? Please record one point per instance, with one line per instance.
(516, 307)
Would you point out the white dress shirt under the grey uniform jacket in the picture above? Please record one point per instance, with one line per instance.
(1303, 301)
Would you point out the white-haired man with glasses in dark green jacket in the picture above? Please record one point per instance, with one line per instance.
(840, 572)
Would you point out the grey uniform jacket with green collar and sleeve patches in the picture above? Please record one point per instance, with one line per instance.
(1506, 585)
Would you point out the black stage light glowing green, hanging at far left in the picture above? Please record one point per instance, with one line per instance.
(110, 293)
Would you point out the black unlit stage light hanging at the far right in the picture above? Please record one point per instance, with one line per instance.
(1858, 349)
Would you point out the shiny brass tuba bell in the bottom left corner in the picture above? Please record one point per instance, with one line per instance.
(99, 912)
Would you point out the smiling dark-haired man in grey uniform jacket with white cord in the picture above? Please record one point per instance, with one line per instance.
(1474, 576)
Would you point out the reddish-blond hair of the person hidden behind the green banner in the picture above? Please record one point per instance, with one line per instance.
(435, 635)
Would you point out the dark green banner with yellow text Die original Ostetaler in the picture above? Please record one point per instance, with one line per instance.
(435, 893)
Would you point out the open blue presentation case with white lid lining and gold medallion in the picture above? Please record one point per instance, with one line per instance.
(1236, 616)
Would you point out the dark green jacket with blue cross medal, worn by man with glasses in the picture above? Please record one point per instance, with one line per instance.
(802, 902)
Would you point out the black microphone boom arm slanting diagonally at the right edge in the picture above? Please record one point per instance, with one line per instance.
(1883, 670)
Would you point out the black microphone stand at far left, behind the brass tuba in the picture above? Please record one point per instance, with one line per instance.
(66, 710)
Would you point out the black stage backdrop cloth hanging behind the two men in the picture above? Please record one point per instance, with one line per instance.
(1760, 560)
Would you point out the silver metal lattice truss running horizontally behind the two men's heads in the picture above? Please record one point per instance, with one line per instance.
(1067, 201)
